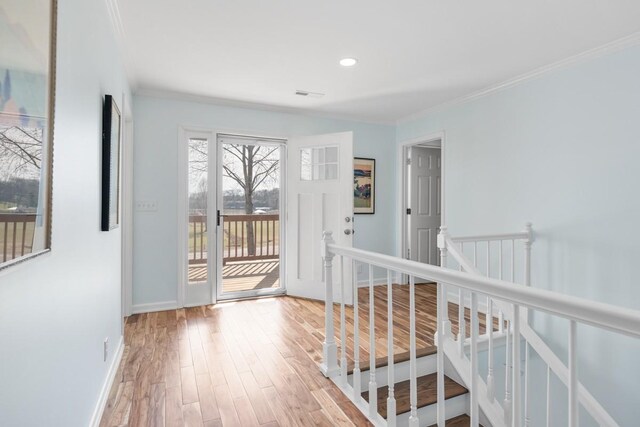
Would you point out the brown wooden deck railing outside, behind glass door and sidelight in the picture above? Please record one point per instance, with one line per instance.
(238, 244)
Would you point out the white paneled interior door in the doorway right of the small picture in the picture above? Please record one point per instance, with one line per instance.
(424, 186)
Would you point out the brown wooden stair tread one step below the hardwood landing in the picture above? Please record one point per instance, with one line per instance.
(427, 393)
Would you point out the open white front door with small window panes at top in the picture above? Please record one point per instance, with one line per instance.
(319, 198)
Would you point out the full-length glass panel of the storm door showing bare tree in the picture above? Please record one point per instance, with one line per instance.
(249, 220)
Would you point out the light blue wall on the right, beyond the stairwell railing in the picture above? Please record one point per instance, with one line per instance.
(562, 151)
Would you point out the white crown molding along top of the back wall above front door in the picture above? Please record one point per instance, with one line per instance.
(224, 102)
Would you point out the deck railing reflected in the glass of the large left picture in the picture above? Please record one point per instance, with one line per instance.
(16, 235)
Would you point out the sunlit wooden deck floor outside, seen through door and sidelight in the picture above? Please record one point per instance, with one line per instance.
(242, 275)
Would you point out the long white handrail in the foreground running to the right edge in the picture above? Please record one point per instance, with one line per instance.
(606, 316)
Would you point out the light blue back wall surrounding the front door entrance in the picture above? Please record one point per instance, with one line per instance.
(155, 178)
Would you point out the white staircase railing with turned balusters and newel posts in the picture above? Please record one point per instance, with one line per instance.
(509, 302)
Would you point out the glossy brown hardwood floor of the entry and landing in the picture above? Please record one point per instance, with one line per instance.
(248, 363)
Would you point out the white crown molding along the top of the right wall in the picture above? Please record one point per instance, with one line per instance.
(603, 50)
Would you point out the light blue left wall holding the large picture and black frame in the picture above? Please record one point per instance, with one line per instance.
(56, 310)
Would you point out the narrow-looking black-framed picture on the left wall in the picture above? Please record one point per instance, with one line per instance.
(110, 164)
